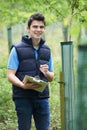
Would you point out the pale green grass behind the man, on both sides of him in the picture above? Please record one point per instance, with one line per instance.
(8, 120)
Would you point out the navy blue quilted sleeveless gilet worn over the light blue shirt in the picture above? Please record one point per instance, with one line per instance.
(28, 65)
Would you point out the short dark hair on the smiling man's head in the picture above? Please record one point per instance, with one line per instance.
(36, 16)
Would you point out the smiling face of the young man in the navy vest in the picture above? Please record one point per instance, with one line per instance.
(36, 29)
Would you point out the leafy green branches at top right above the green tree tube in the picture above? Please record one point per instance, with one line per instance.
(68, 11)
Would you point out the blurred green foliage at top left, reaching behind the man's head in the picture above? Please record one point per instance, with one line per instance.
(13, 11)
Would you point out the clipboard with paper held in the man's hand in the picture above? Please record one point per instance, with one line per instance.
(33, 79)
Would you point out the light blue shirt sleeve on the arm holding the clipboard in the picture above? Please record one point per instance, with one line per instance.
(13, 61)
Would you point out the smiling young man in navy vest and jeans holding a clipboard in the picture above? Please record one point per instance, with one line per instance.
(31, 57)
